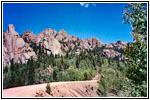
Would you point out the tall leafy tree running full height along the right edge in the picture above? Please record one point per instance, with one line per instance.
(136, 52)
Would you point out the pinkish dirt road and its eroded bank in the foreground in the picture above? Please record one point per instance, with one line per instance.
(59, 89)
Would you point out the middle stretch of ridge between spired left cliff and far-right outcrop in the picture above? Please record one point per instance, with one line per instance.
(55, 43)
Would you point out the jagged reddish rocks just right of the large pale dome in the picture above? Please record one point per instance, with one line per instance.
(71, 43)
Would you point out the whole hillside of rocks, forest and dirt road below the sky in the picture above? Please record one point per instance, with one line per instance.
(56, 57)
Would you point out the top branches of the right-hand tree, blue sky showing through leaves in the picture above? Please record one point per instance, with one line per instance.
(136, 15)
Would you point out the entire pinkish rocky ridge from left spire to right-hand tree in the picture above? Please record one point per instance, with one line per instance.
(17, 48)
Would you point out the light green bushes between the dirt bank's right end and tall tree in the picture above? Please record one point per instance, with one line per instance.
(111, 81)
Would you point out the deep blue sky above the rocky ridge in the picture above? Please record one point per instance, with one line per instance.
(100, 20)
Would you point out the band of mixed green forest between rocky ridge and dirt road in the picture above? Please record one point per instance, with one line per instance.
(64, 69)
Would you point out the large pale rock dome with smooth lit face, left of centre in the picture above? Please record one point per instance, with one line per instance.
(48, 42)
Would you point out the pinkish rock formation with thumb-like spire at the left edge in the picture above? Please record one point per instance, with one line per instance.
(14, 47)
